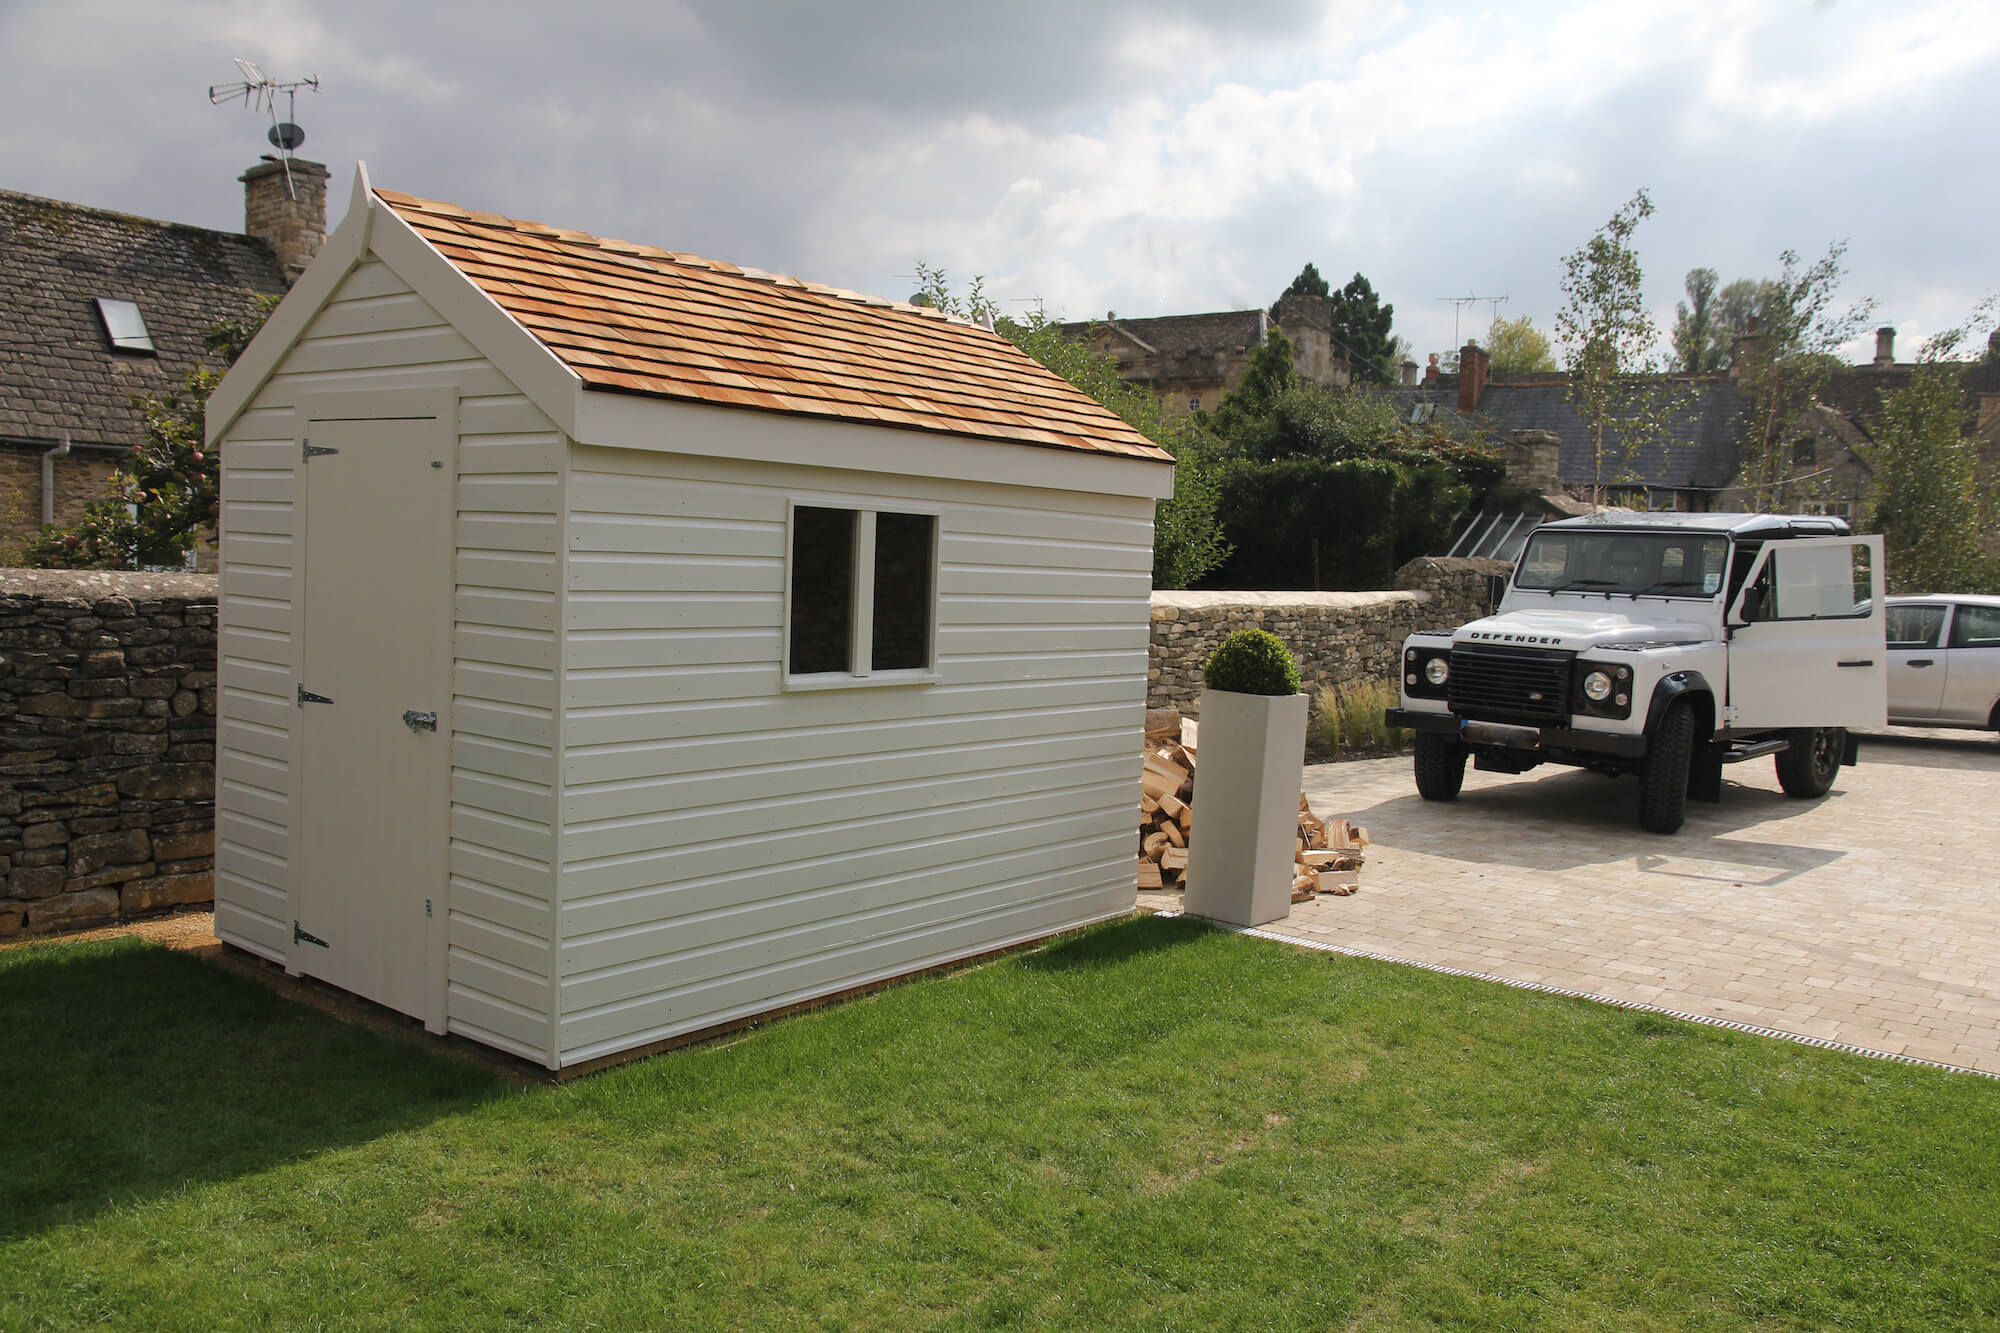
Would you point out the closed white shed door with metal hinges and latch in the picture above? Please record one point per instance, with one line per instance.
(377, 643)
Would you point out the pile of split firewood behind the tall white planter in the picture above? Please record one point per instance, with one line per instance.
(1329, 854)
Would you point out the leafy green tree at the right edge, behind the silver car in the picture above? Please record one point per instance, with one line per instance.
(1933, 501)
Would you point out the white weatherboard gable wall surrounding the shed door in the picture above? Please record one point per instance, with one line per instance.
(377, 333)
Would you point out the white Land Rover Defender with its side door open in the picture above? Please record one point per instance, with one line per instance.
(1663, 645)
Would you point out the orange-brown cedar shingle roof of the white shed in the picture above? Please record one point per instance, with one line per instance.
(649, 321)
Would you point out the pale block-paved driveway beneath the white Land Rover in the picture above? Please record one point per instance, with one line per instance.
(1869, 918)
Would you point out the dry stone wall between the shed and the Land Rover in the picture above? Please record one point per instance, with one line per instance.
(1339, 637)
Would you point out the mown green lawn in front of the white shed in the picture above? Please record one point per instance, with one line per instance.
(1147, 1126)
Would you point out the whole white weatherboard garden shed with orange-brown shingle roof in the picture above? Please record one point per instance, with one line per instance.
(617, 645)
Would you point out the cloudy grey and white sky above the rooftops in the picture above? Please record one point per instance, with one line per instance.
(1139, 157)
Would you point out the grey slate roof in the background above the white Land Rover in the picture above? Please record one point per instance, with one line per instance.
(1701, 449)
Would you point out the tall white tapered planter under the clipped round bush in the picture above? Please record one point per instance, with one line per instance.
(1247, 782)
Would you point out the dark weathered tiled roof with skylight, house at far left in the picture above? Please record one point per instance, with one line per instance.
(57, 369)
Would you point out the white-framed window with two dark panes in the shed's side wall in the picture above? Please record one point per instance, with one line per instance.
(861, 589)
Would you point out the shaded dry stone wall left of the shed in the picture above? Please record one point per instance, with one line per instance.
(107, 746)
